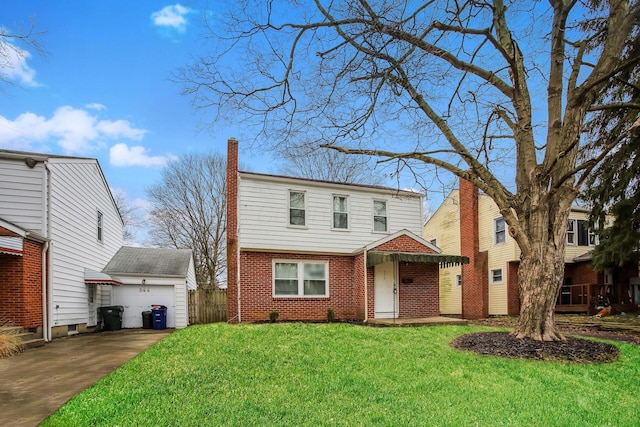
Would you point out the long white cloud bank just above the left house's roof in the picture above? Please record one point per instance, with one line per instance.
(75, 131)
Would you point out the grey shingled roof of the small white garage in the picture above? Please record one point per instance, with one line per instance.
(149, 262)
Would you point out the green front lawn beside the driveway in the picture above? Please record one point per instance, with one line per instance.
(338, 374)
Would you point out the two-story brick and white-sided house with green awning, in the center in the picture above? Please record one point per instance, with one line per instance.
(302, 247)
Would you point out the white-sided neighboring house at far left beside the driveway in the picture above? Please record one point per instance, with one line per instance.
(67, 201)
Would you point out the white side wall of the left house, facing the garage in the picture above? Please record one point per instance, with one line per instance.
(77, 191)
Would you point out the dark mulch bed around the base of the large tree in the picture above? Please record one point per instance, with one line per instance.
(573, 350)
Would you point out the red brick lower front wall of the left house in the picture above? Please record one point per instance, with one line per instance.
(21, 287)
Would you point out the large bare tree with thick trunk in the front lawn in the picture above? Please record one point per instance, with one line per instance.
(466, 86)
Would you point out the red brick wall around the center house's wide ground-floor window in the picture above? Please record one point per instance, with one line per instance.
(256, 289)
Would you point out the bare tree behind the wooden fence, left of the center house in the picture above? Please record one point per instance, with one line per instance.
(188, 212)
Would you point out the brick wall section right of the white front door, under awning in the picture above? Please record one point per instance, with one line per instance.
(420, 298)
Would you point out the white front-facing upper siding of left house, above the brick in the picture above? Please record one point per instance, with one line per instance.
(22, 194)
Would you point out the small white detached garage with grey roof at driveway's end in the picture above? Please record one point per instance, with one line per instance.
(149, 277)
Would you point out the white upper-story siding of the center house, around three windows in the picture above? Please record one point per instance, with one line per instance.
(263, 213)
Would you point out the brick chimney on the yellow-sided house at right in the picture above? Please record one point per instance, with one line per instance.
(475, 281)
